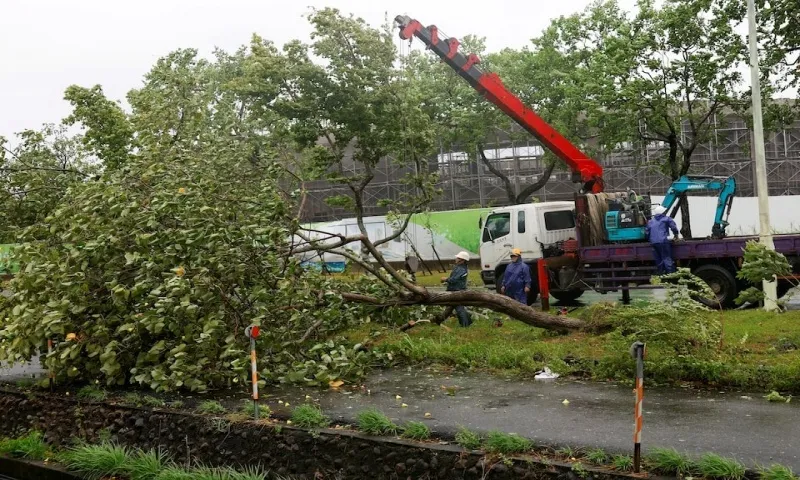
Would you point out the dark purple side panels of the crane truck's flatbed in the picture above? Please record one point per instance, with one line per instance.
(729, 247)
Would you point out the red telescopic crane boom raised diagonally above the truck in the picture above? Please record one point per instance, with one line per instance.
(584, 169)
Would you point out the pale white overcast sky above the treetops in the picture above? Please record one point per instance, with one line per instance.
(47, 45)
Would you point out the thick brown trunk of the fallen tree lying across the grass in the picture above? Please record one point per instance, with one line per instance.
(472, 298)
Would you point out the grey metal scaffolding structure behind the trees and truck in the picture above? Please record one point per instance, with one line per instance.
(467, 183)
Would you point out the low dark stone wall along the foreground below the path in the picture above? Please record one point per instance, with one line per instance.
(328, 453)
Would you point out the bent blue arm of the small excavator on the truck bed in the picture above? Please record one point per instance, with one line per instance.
(725, 186)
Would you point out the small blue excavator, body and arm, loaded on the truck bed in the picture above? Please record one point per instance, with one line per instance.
(627, 216)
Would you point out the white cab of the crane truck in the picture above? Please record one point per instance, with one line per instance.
(527, 227)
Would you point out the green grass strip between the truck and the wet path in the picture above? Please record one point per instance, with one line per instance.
(759, 351)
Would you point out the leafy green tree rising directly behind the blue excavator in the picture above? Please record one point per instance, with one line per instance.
(660, 76)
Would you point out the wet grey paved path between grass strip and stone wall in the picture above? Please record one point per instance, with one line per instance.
(598, 414)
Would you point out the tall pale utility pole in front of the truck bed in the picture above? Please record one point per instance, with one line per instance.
(770, 287)
